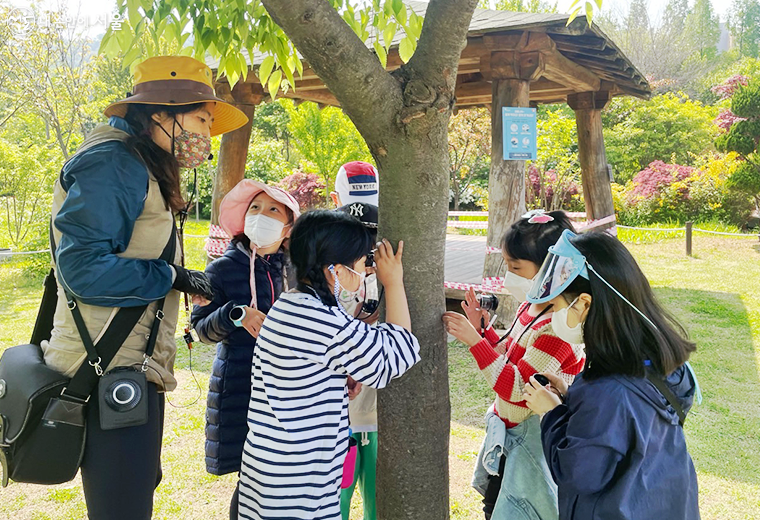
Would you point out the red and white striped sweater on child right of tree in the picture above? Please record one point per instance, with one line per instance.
(508, 366)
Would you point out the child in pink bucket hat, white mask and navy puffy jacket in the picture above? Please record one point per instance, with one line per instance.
(246, 280)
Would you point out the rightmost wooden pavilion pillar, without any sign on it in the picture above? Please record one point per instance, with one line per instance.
(597, 192)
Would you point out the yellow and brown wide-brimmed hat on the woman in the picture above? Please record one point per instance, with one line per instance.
(178, 80)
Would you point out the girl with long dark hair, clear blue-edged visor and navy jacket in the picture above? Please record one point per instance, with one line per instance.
(613, 440)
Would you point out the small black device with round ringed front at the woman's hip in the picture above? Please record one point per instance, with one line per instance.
(123, 399)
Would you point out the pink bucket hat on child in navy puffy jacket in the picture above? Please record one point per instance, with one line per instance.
(235, 204)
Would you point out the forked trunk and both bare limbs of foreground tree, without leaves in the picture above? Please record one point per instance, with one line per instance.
(403, 116)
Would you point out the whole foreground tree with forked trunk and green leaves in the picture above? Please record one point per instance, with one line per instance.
(403, 117)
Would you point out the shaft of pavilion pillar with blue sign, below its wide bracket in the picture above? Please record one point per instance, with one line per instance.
(506, 180)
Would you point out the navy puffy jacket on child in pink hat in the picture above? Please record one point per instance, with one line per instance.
(230, 383)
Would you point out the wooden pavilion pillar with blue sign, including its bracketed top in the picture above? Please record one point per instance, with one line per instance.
(511, 73)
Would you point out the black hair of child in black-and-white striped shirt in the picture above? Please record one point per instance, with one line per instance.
(321, 238)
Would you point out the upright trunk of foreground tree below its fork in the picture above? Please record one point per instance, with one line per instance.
(414, 412)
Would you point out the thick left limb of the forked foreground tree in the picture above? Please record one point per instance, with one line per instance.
(344, 63)
